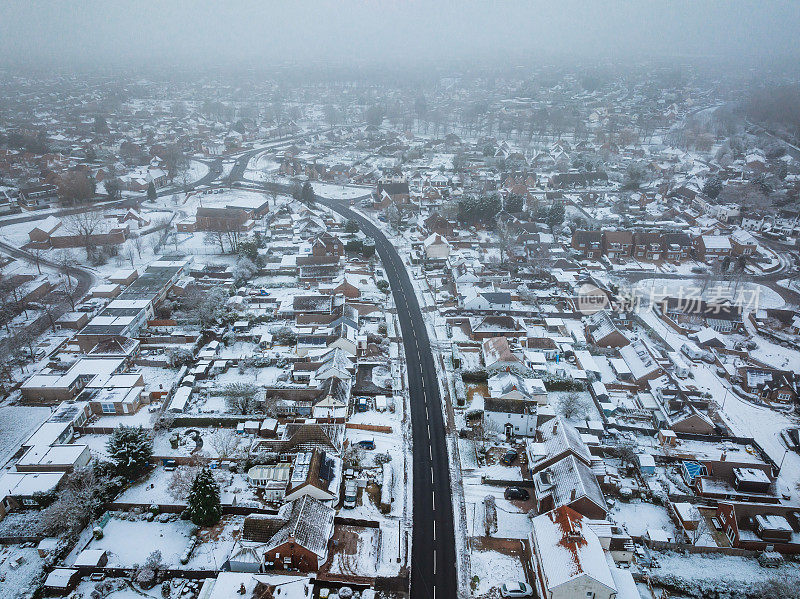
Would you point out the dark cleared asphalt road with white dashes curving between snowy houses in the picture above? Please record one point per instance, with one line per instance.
(433, 559)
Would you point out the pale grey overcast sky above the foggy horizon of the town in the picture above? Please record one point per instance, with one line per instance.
(258, 33)
